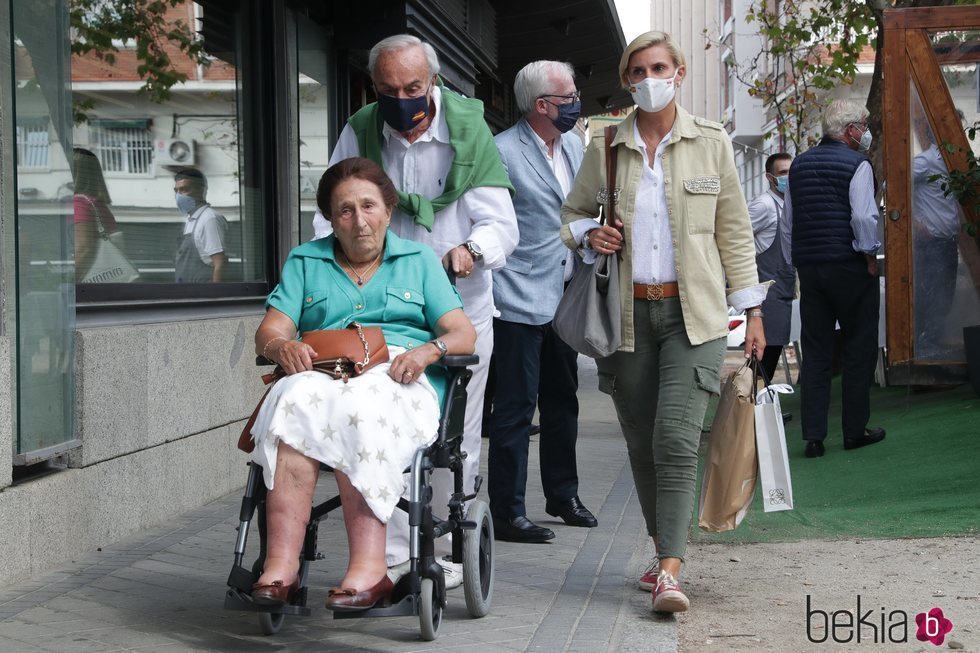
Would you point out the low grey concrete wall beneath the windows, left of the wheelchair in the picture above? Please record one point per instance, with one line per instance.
(159, 410)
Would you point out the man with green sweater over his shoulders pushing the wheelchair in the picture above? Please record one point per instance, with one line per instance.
(454, 196)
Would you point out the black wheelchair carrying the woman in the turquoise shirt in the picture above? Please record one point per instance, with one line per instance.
(422, 591)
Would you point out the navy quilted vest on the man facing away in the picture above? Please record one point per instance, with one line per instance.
(819, 182)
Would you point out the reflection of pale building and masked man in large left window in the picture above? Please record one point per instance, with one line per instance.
(145, 139)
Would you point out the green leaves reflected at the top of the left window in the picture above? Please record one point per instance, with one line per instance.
(100, 26)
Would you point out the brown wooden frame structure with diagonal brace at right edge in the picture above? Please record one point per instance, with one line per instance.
(911, 57)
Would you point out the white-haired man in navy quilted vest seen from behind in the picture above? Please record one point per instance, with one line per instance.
(834, 219)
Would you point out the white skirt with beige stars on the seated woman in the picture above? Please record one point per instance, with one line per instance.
(368, 428)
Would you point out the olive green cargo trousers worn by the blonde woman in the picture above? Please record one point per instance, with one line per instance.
(661, 391)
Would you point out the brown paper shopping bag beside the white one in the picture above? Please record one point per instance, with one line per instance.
(730, 465)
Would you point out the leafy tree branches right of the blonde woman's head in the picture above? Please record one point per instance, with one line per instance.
(809, 47)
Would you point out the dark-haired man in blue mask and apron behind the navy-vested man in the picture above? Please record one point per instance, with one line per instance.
(772, 258)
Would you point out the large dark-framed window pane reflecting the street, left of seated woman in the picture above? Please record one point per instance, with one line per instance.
(161, 143)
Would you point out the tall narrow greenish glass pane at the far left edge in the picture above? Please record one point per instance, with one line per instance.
(43, 293)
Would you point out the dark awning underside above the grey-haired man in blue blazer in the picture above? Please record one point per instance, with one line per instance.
(585, 33)
